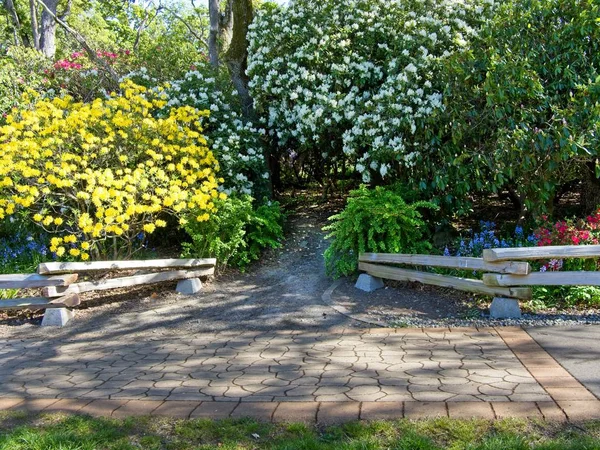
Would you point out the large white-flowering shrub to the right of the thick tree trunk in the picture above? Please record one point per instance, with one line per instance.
(357, 80)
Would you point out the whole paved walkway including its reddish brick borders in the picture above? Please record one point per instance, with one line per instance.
(460, 371)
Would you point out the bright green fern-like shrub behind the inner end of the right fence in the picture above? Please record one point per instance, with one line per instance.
(374, 220)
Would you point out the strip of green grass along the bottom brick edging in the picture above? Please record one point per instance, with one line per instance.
(69, 432)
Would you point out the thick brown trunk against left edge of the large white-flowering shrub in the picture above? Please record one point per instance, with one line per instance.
(237, 54)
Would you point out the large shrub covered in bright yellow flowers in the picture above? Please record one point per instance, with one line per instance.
(97, 174)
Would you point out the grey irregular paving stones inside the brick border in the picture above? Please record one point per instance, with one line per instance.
(299, 366)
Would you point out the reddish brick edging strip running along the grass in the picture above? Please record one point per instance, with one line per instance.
(309, 412)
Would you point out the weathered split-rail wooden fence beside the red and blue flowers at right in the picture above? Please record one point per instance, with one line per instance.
(507, 272)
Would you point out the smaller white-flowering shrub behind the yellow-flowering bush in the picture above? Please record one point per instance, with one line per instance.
(237, 143)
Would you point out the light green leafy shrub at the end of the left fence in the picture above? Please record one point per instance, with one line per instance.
(237, 234)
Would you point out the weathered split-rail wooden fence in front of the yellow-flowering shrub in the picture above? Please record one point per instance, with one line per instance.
(60, 289)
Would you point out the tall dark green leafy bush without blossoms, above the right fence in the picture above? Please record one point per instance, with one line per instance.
(523, 106)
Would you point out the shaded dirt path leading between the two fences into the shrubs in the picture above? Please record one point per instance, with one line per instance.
(283, 292)
